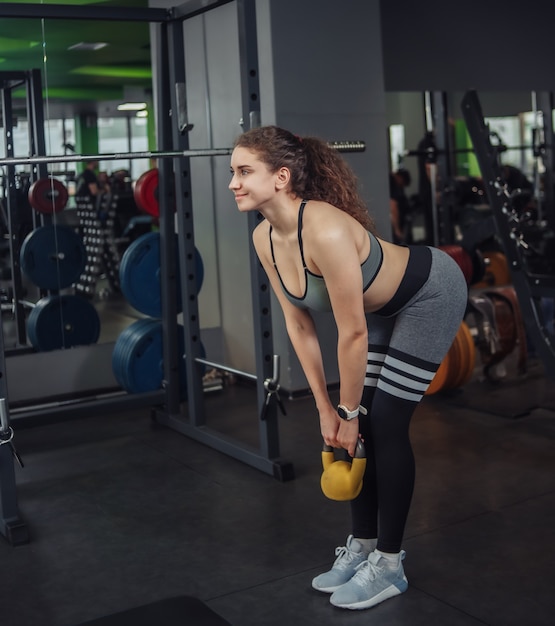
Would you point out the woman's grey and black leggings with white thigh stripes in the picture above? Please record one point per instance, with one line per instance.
(404, 352)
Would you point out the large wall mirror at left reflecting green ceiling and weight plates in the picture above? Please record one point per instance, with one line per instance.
(62, 83)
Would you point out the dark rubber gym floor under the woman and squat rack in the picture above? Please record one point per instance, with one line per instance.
(123, 512)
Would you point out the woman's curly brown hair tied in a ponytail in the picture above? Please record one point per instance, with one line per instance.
(318, 172)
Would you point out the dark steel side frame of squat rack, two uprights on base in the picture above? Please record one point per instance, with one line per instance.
(173, 132)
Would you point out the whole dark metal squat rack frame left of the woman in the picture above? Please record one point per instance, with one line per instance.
(172, 138)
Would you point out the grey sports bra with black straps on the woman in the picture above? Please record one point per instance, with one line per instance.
(316, 295)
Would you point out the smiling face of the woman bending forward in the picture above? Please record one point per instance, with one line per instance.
(252, 183)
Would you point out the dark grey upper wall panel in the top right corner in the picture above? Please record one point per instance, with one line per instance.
(477, 44)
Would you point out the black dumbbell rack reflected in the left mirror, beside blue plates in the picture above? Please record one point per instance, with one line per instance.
(98, 236)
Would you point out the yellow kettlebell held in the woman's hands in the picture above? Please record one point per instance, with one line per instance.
(342, 480)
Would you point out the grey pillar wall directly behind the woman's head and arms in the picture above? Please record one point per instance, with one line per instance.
(328, 81)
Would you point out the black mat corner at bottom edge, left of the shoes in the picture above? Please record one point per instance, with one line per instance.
(181, 611)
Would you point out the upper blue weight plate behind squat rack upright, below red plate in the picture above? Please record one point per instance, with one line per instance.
(139, 275)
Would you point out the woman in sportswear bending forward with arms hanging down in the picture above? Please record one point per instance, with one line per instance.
(397, 311)
